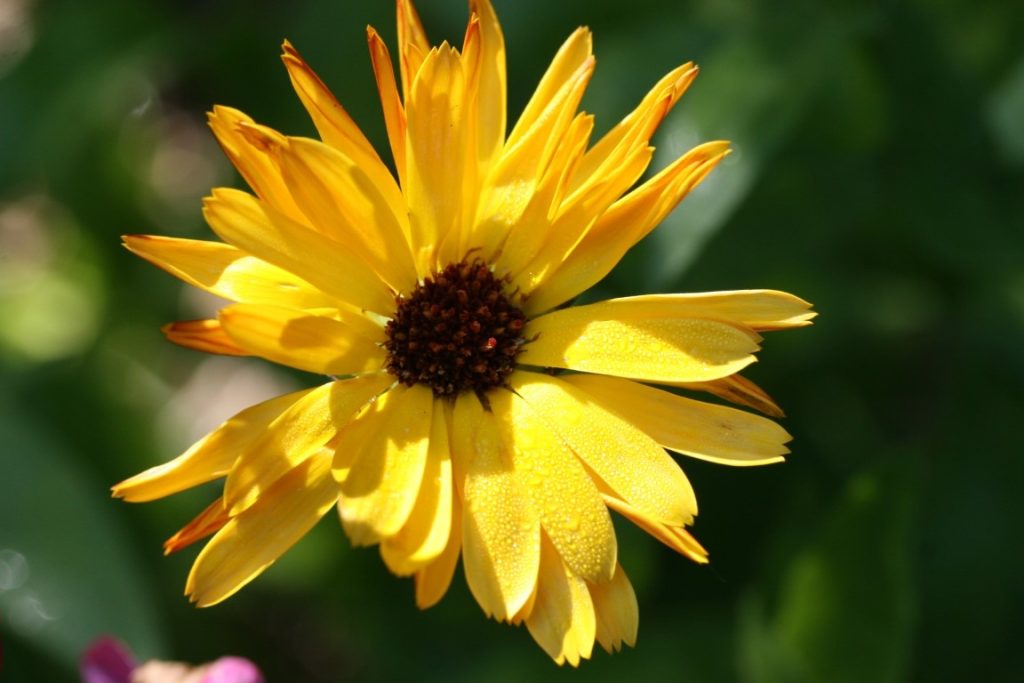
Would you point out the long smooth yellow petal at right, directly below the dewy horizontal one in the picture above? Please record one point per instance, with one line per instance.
(716, 434)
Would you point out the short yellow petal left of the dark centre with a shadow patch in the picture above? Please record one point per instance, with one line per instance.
(308, 341)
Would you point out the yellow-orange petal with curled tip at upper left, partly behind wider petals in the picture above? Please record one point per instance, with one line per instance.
(252, 162)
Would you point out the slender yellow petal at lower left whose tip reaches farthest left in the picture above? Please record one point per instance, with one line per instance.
(208, 459)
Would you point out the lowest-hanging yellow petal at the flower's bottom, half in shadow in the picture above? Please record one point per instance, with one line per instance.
(563, 620)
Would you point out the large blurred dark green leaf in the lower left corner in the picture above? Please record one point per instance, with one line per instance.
(66, 575)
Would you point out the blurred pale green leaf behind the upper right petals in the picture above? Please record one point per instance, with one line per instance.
(753, 92)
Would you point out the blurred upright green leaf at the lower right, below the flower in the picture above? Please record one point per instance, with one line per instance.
(846, 606)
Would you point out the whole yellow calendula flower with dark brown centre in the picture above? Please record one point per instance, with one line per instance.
(468, 414)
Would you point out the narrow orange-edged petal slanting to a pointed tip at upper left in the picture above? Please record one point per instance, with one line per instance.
(337, 129)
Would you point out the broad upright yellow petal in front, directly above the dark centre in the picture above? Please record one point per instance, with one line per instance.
(436, 154)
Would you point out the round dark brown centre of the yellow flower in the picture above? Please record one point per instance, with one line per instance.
(458, 331)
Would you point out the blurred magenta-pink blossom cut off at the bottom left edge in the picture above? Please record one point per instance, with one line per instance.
(109, 661)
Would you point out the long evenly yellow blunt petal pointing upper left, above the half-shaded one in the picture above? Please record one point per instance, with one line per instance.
(251, 226)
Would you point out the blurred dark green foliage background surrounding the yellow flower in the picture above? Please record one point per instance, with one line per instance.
(879, 173)
